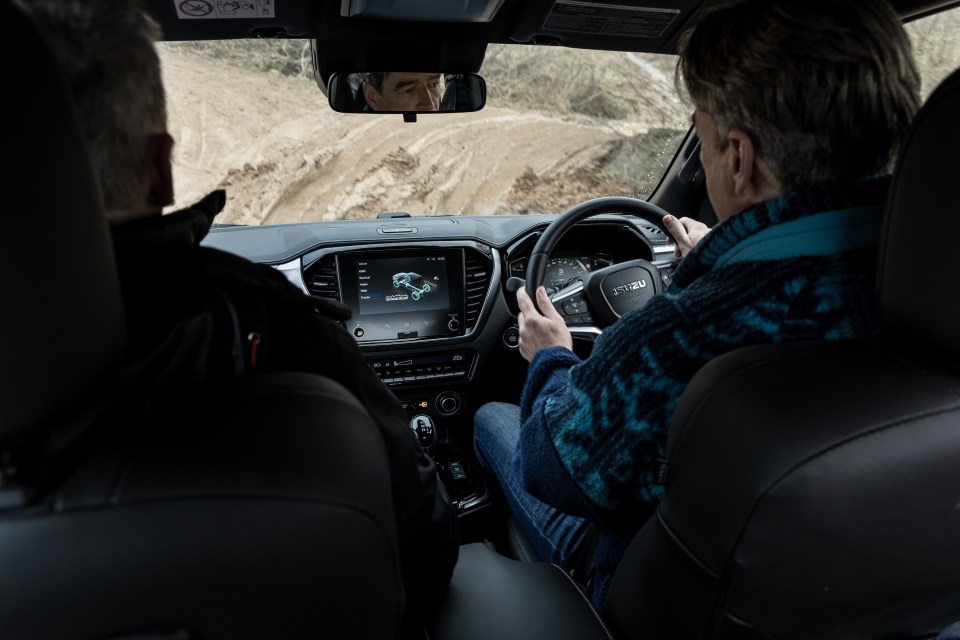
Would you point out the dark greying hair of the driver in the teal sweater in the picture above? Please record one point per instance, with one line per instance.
(826, 89)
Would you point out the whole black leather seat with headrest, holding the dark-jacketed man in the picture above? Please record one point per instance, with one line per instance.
(258, 510)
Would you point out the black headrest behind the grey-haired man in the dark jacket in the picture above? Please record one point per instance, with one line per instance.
(62, 321)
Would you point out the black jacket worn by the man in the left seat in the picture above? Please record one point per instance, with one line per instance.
(234, 317)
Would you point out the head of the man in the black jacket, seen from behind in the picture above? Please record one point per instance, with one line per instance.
(105, 50)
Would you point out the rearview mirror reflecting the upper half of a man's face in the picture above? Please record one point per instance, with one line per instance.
(406, 92)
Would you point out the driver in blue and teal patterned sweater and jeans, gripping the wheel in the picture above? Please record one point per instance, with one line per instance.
(795, 139)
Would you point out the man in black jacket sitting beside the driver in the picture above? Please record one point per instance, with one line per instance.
(184, 302)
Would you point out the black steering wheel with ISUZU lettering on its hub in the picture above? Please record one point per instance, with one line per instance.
(599, 297)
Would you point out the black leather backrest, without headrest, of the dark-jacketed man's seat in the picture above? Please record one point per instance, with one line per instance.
(264, 513)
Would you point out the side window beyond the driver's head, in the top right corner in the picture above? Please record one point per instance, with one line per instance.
(936, 47)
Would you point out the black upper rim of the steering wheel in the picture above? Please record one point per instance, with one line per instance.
(537, 263)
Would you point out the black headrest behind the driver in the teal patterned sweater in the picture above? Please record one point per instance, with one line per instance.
(918, 279)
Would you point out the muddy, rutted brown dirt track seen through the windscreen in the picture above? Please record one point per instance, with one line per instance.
(284, 156)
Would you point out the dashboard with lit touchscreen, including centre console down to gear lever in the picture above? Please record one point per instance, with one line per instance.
(429, 304)
